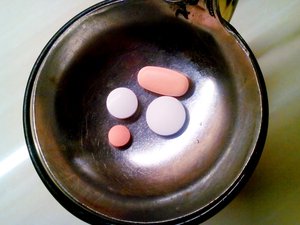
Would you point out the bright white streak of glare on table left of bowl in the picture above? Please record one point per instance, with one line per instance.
(13, 160)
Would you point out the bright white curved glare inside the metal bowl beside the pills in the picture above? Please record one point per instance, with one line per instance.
(199, 110)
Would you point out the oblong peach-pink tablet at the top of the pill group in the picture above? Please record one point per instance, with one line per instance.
(163, 81)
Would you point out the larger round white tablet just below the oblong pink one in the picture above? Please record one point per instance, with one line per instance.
(165, 115)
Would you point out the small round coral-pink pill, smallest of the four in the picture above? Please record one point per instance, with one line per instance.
(119, 136)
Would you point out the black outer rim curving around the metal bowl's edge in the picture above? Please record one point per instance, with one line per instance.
(91, 217)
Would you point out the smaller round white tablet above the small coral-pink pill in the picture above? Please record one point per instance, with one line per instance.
(122, 103)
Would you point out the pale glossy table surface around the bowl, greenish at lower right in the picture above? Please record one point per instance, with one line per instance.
(271, 28)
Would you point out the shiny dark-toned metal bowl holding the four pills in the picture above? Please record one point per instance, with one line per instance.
(179, 179)
